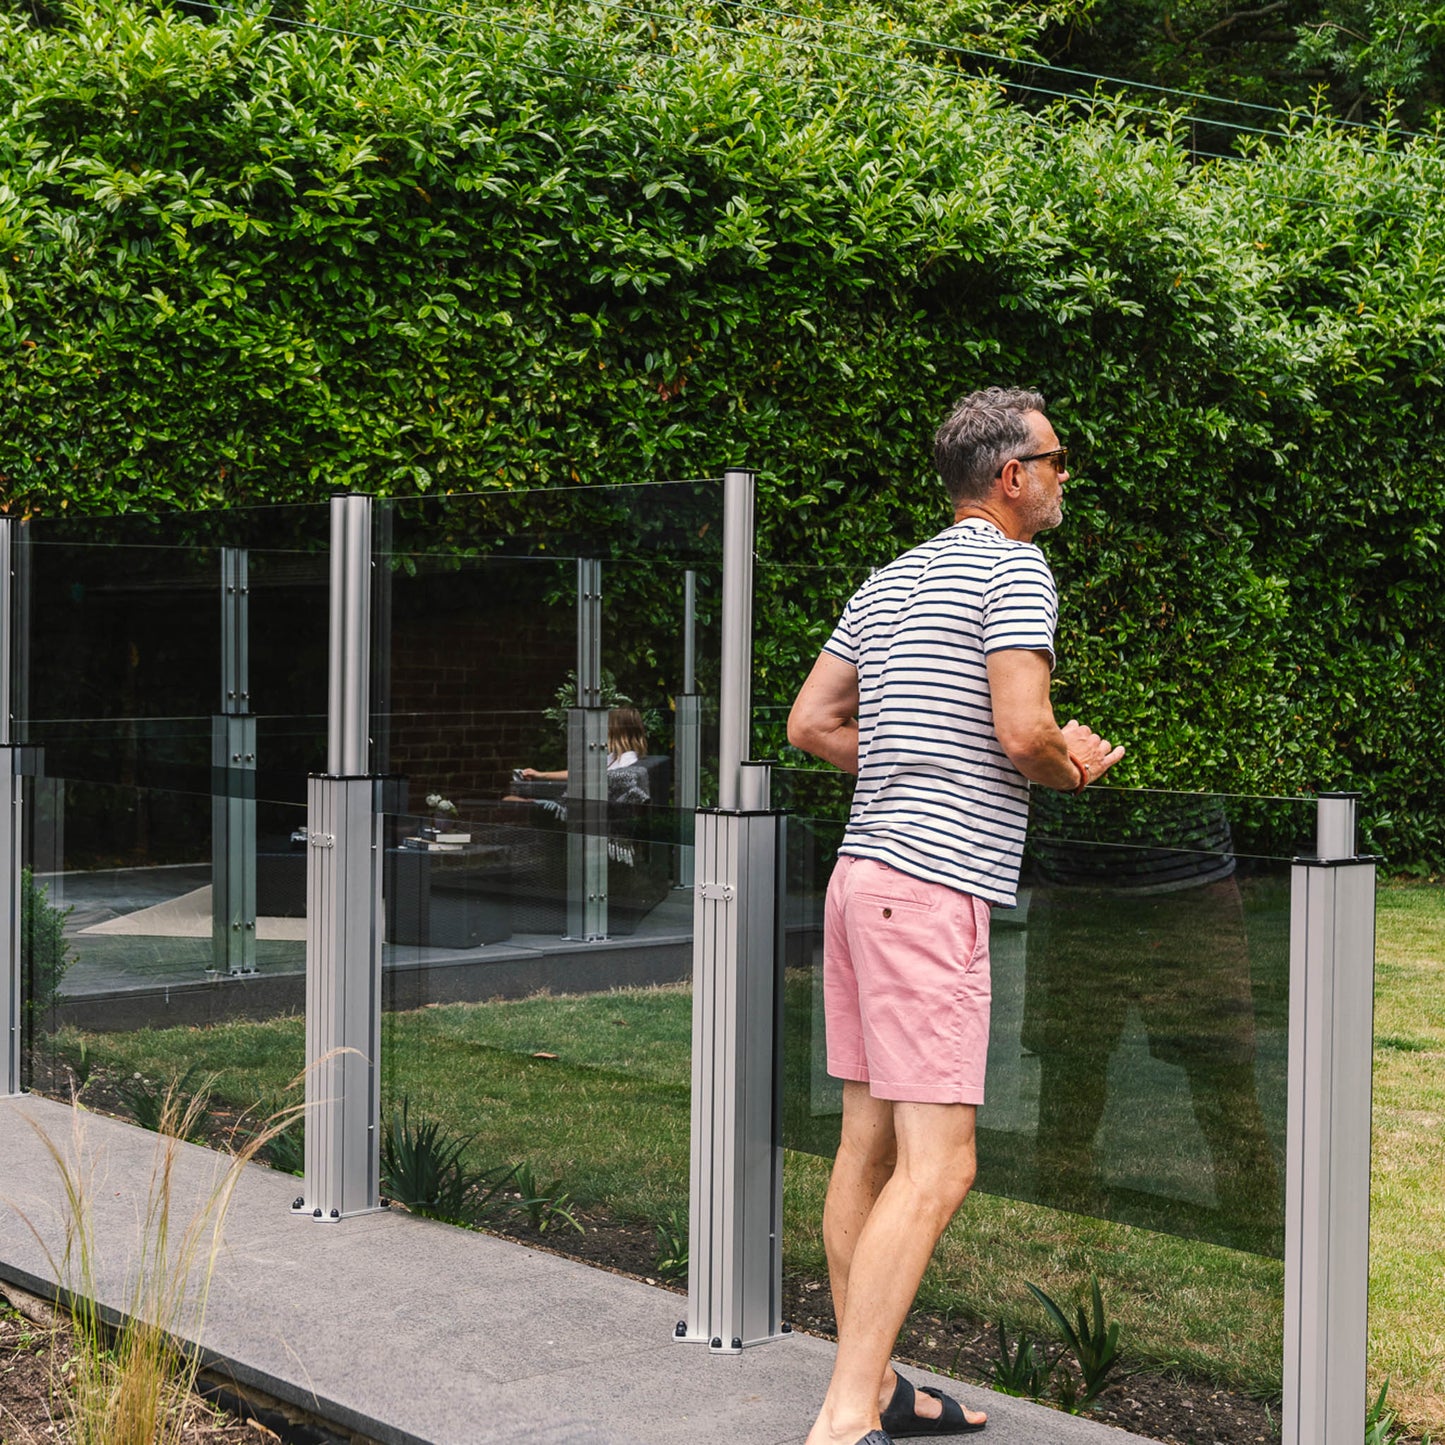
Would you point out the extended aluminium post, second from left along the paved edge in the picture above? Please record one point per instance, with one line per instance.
(345, 904)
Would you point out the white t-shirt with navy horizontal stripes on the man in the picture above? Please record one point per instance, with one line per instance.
(937, 795)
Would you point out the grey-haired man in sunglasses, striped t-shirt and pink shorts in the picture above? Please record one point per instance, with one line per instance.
(936, 691)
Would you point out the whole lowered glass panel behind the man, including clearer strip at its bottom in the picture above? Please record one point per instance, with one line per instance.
(1136, 1086)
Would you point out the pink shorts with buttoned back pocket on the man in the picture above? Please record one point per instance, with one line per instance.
(905, 985)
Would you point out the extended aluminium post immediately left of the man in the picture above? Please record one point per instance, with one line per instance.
(735, 1207)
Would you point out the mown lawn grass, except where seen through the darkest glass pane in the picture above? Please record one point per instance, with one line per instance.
(593, 1090)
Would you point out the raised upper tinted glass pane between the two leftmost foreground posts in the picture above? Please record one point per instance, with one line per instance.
(122, 674)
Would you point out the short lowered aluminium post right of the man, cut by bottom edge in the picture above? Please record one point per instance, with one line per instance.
(1327, 1191)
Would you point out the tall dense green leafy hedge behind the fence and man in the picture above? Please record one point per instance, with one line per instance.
(251, 264)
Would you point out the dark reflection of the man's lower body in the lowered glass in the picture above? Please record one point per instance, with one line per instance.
(1147, 915)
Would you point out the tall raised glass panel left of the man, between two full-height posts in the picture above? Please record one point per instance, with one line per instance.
(561, 1056)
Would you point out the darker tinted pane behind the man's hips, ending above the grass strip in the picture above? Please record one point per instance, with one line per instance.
(1138, 1047)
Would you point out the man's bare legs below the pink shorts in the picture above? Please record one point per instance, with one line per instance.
(881, 1265)
